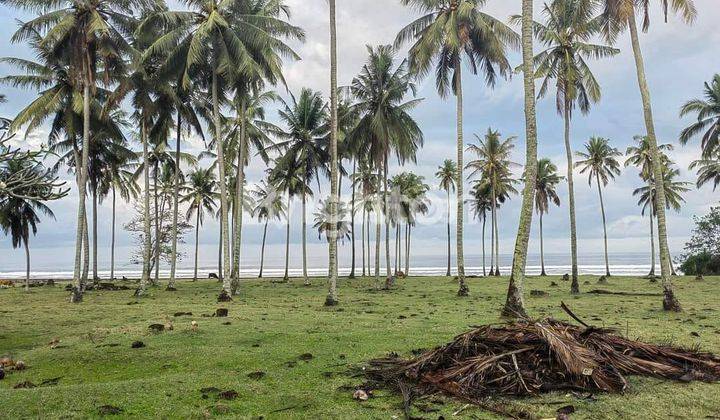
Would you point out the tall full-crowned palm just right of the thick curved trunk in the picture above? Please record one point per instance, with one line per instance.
(567, 38)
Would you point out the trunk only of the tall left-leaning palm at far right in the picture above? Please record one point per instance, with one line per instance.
(670, 302)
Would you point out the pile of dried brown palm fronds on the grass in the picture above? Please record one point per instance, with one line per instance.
(531, 357)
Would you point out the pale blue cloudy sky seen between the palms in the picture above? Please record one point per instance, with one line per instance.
(679, 59)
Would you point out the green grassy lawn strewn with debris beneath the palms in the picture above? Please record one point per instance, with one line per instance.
(271, 325)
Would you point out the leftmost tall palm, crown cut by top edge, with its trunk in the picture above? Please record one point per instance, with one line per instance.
(90, 34)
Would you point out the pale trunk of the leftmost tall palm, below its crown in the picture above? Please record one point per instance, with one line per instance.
(78, 285)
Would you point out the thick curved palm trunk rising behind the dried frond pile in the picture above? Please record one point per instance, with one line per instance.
(514, 304)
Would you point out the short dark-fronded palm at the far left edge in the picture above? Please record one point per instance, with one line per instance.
(19, 217)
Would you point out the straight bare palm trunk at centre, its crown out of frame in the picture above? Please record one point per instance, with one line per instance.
(332, 297)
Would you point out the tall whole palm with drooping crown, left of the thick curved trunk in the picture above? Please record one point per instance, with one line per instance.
(447, 33)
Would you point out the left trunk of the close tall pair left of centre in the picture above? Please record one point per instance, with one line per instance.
(227, 286)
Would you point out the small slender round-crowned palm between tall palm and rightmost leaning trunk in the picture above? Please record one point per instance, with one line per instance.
(599, 161)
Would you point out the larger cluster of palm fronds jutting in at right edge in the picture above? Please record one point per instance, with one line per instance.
(708, 119)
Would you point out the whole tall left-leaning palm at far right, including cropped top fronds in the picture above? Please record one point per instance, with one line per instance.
(620, 15)
